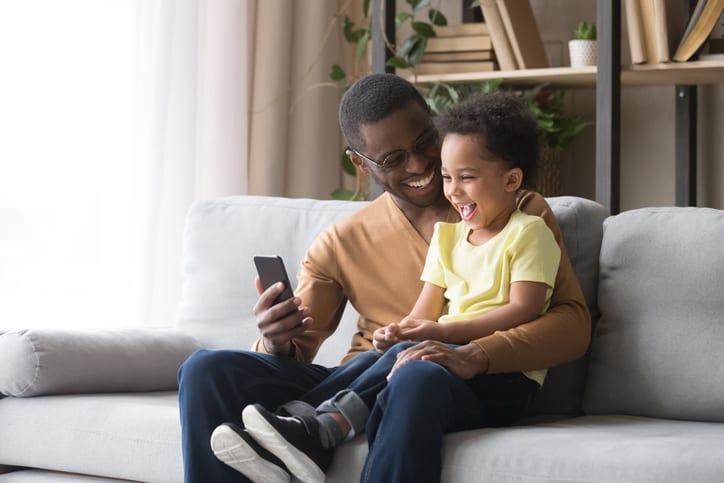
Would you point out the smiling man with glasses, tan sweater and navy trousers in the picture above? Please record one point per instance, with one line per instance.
(373, 259)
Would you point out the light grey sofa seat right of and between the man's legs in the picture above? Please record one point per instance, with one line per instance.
(583, 449)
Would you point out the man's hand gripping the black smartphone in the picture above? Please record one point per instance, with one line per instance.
(279, 323)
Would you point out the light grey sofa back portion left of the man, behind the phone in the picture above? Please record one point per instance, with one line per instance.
(221, 238)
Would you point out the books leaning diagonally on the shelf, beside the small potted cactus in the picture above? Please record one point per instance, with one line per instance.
(516, 39)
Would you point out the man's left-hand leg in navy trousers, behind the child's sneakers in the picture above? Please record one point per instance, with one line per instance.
(214, 387)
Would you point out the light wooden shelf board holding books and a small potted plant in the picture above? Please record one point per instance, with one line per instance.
(694, 72)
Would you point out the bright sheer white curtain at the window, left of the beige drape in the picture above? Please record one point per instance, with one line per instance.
(114, 117)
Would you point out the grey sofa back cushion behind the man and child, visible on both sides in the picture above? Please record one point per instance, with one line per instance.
(223, 235)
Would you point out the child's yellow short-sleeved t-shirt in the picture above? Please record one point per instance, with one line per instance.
(477, 279)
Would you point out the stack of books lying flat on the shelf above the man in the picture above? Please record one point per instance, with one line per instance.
(458, 48)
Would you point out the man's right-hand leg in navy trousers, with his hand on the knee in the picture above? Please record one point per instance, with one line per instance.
(421, 403)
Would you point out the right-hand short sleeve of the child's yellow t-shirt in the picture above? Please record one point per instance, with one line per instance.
(536, 255)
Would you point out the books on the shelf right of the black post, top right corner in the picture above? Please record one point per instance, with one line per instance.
(658, 30)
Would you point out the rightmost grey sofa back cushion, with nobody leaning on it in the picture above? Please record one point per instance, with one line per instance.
(657, 349)
